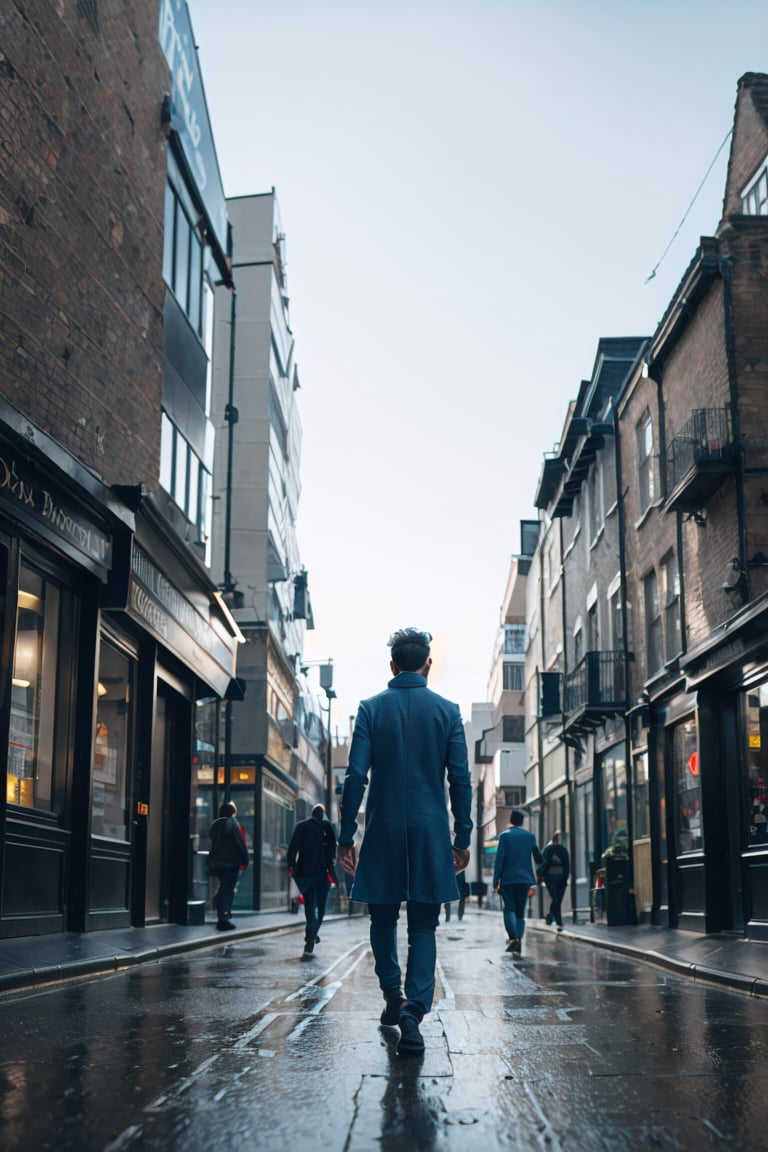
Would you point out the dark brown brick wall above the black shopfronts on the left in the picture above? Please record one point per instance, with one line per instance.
(81, 228)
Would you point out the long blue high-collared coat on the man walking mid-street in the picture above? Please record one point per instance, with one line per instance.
(407, 740)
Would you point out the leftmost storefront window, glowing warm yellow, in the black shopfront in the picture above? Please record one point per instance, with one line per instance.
(34, 693)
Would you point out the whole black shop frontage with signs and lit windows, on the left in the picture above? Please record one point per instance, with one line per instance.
(112, 641)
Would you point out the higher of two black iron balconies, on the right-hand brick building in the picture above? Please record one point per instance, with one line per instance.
(699, 459)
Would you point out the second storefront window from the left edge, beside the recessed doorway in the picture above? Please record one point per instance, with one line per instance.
(111, 745)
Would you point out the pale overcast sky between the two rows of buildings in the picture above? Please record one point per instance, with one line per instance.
(474, 193)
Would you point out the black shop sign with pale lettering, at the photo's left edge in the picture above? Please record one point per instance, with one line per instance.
(33, 498)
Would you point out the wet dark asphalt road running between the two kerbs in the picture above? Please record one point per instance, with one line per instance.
(246, 1047)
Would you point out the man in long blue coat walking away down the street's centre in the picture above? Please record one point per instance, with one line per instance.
(407, 740)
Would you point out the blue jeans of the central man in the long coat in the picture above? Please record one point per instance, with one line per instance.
(422, 953)
